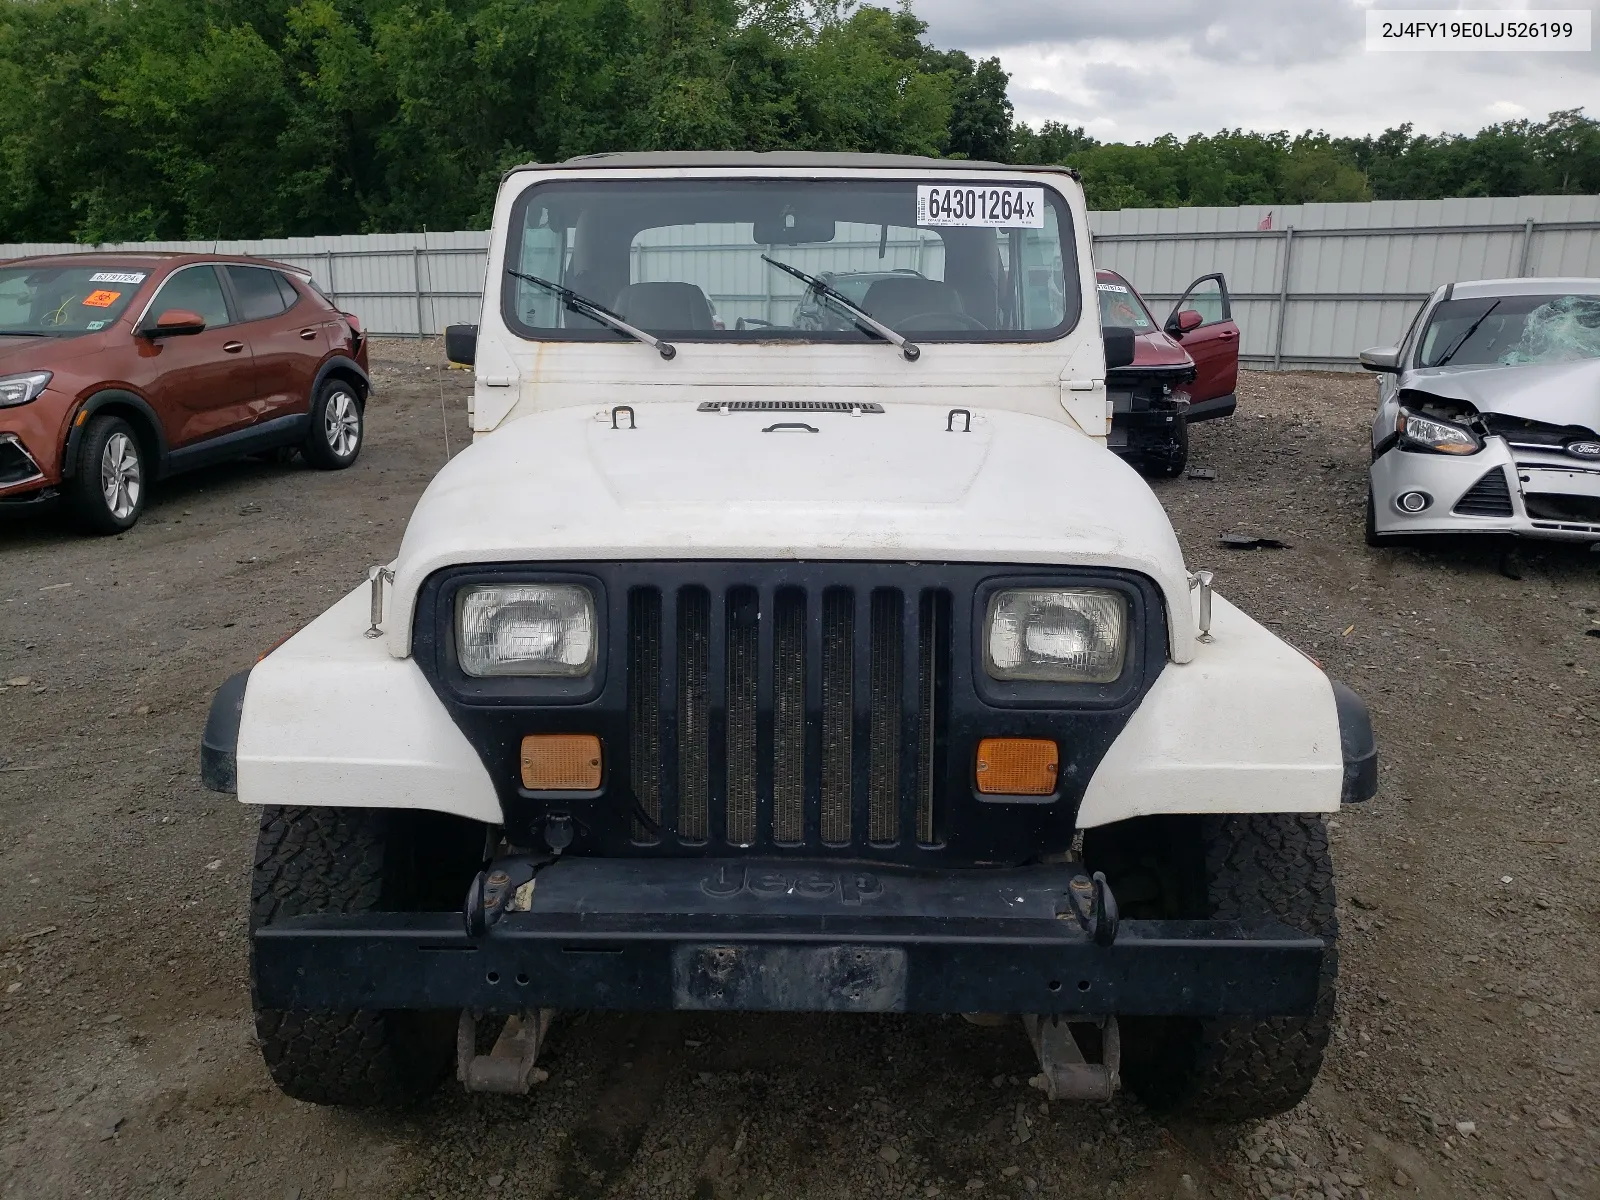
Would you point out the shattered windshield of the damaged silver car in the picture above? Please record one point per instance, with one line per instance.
(1511, 330)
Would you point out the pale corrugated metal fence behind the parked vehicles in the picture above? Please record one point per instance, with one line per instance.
(1311, 289)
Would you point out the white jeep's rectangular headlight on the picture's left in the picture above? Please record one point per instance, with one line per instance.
(527, 630)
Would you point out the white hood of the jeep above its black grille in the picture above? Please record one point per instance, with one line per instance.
(911, 484)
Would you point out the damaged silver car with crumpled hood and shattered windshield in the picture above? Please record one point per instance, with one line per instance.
(1489, 415)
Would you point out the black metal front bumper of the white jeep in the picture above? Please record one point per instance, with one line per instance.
(727, 935)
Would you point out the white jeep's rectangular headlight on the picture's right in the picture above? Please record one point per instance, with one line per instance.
(1068, 636)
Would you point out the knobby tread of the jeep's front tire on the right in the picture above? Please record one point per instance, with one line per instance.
(1271, 865)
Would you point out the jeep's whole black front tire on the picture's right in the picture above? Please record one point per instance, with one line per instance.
(1236, 1070)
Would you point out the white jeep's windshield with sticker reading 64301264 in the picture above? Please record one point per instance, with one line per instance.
(684, 260)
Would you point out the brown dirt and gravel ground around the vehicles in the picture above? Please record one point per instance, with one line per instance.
(1468, 1049)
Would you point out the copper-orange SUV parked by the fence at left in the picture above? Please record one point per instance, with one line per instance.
(121, 369)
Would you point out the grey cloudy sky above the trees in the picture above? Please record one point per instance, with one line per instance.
(1134, 70)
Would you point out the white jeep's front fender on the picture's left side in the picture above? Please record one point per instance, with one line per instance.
(332, 719)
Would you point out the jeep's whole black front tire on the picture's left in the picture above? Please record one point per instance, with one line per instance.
(356, 860)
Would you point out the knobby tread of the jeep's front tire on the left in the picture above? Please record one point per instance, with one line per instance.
(334, 860)
